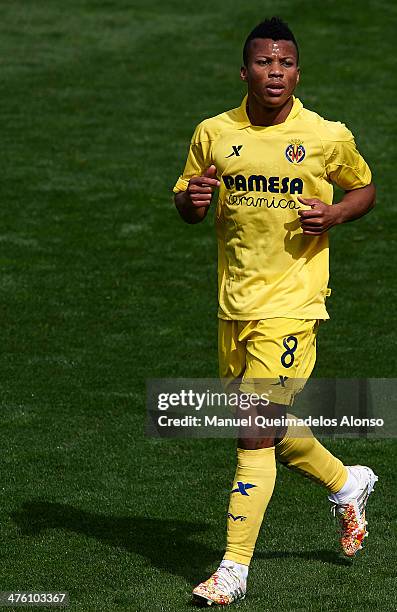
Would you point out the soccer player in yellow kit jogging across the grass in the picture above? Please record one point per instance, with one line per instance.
(274, 163)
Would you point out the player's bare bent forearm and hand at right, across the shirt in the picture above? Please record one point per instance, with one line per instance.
(322, 217)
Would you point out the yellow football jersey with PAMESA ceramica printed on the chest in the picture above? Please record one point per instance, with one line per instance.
(266, 266)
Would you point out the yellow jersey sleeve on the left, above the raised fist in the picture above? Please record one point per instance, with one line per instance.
(198, 159)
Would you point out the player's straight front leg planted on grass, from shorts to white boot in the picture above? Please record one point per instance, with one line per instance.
(253, 482)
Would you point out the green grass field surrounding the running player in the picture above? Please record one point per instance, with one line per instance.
(102, 286)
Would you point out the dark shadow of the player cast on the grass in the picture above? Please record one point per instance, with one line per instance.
(170, 545)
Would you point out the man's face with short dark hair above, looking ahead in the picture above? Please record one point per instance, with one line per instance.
(272, 72)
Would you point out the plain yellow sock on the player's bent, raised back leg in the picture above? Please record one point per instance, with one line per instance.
(306, 455)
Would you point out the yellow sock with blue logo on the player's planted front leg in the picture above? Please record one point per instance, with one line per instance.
(252, 489)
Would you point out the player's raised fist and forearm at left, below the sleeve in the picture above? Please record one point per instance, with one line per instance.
(193, 203)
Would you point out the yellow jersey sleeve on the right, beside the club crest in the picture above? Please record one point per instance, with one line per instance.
(344, 165)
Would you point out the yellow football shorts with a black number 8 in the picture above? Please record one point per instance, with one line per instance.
(273, 354)
